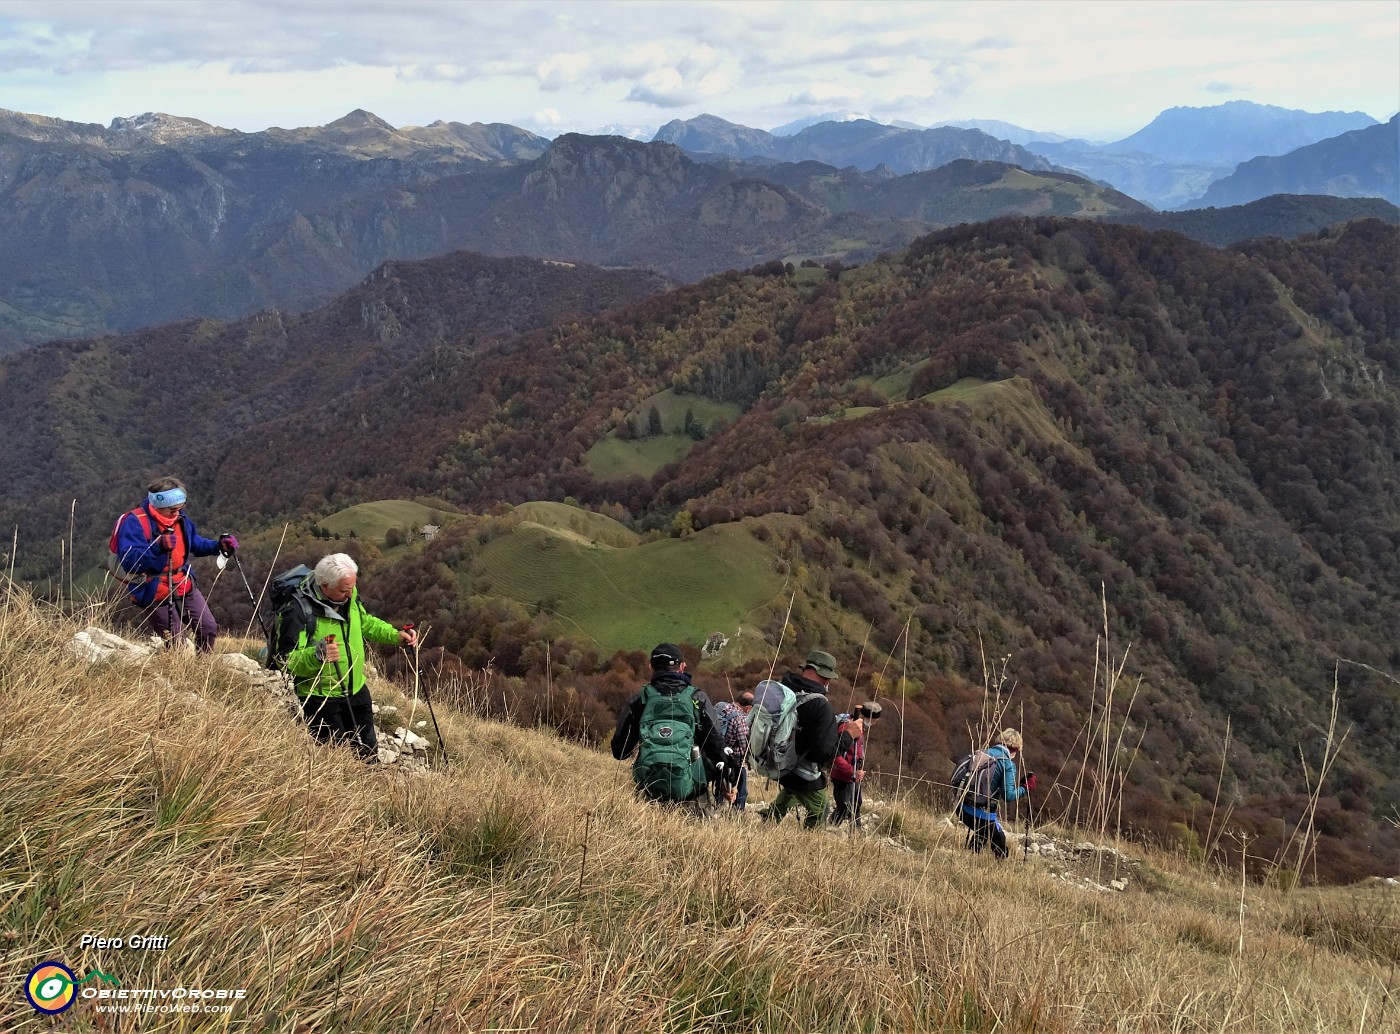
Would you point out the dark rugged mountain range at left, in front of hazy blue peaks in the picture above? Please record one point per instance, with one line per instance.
(160, 219)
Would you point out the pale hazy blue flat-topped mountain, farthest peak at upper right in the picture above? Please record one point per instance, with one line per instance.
(1234, 132)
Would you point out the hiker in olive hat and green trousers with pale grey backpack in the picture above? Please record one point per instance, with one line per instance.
(803, 760)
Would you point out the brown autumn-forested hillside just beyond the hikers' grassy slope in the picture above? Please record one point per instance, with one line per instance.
(983, 453)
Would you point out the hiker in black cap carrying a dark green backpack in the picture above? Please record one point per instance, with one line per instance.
(675, 732)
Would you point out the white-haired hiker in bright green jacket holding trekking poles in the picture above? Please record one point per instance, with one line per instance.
(328, 661)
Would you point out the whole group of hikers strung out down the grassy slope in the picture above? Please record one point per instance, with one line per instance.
(689, 751)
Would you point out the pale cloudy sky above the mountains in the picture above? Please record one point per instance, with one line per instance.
(1097, 69)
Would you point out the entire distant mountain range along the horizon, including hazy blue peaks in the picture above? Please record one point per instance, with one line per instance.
(160, 218)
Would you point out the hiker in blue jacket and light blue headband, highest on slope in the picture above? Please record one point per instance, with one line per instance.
(150, 552)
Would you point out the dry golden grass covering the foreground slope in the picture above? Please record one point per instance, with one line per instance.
(521, 889)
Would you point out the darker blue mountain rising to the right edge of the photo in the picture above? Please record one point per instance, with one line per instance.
(1364, 163)
